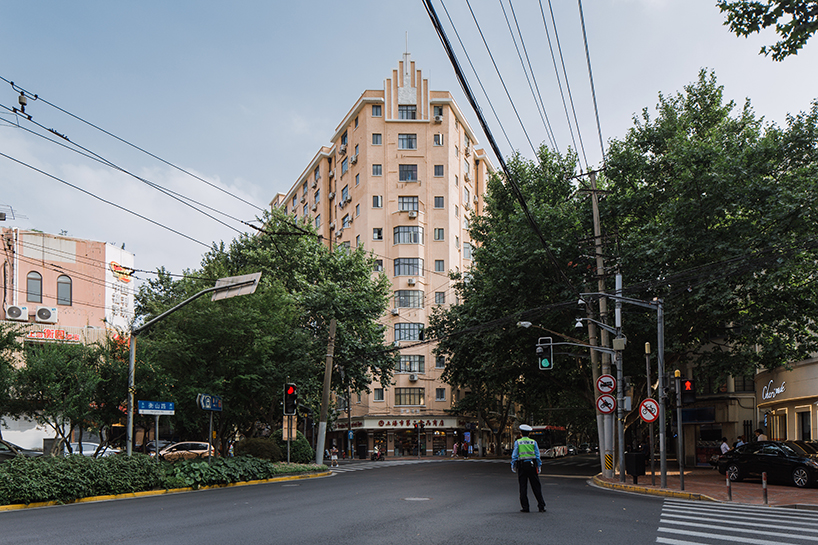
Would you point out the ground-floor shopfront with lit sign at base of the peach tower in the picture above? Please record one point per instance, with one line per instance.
(402, 436)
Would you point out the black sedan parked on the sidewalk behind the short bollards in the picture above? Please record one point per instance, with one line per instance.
(783, 461)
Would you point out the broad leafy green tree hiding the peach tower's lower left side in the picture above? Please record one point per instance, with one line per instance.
(245, 349)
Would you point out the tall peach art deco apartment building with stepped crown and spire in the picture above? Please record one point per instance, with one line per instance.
(401, 177)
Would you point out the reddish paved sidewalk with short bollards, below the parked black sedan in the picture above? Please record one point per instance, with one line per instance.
(704, 483)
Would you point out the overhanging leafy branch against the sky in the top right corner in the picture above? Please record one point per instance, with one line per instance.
(744, 17)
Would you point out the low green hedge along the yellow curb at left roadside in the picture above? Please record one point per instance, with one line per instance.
(65, 479)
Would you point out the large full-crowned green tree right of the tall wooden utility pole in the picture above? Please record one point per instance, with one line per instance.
(717, 215)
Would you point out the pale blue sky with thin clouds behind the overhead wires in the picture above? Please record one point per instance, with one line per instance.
(242, 95)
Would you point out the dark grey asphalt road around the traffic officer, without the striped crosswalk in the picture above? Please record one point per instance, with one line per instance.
(445, 502)
